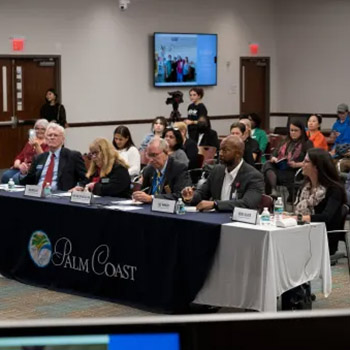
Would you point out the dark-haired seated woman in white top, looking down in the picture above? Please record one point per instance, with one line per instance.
(125, 146)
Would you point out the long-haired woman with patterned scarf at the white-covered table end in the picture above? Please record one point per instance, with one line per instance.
(322, 196)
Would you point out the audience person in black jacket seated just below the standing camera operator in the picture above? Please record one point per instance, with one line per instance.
(203, 134)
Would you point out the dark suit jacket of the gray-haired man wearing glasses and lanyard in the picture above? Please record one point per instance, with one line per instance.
(175, 179)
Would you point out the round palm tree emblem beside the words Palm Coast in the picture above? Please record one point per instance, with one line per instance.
(40, 248)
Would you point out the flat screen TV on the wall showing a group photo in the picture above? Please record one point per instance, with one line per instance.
(185, 59)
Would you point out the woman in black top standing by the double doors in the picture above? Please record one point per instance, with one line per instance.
(52, 110)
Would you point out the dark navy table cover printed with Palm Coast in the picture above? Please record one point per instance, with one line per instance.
(140, 257)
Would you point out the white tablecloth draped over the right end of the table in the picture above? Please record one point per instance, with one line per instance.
(256, 264)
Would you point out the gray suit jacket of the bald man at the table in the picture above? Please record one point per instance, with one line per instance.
(249, 184)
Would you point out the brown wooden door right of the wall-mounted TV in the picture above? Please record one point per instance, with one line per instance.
(255, 88)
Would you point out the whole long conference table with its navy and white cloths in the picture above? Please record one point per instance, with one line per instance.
(156, 260)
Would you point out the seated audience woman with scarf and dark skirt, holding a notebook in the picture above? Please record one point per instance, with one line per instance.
(287, 159)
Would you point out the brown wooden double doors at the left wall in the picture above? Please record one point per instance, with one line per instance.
(23, 83)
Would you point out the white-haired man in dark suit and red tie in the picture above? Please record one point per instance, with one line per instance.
(60, 167)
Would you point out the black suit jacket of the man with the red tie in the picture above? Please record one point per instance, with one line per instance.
(71, 169)
